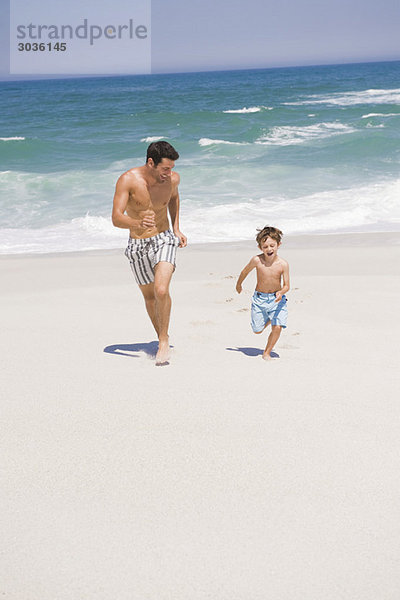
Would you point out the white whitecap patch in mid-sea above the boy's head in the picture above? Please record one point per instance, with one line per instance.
(289, 135)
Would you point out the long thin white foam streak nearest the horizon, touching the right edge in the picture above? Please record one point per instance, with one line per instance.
(352, 98)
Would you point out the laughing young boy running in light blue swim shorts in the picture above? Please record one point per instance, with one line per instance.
(269, 300)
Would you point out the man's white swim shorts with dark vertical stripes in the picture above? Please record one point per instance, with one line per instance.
(144, 254)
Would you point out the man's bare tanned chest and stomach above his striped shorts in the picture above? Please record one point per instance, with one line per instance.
(145, 199)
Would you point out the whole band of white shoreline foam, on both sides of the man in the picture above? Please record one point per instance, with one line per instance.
(359, 208)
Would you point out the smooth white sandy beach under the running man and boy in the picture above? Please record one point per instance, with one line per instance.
(220, 476)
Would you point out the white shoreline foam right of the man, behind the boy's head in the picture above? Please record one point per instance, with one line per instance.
(356, 208)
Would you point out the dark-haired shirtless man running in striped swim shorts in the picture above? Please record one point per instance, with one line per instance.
(142, 197)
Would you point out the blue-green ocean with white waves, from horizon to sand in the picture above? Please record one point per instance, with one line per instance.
(306, 149)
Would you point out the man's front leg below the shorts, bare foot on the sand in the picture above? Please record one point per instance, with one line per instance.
(162, 278)
